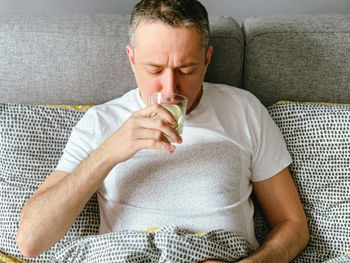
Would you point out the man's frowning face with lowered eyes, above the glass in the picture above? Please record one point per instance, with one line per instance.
(168, 60)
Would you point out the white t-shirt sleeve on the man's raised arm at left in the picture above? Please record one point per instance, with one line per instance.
(80, 143)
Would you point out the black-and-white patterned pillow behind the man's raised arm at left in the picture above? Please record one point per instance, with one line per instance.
(31, 143)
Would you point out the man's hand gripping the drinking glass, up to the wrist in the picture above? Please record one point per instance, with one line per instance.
(142, 131)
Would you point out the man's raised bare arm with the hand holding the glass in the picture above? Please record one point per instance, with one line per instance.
(51, 211)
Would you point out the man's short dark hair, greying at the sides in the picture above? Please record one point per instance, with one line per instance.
(176, 13)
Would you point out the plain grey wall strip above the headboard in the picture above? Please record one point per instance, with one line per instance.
(239, 9)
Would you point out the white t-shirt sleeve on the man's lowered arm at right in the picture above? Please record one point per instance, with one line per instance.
(270, 154)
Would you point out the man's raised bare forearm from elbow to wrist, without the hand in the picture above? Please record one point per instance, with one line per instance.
(51, 211)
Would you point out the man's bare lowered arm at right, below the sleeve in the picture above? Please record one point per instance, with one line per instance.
(281, 205)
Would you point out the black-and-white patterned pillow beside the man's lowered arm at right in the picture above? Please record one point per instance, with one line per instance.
(318, 138)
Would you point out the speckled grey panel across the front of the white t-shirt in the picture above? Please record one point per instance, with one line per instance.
(208, 173)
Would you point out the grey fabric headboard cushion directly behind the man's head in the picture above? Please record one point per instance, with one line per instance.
(81, 59)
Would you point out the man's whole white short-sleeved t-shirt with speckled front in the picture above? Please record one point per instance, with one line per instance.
(229, 141)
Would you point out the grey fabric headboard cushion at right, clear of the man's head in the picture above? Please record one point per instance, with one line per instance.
(298, 58)
